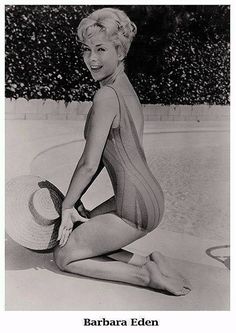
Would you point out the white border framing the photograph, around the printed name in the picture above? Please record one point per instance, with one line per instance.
(71, 321)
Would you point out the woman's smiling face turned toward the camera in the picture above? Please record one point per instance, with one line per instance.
(101, 56)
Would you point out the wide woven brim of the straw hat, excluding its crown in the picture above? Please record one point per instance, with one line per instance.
(21, 225)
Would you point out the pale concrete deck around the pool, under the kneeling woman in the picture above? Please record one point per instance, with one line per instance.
(33, 281)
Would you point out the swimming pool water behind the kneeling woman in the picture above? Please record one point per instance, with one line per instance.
(192, 168)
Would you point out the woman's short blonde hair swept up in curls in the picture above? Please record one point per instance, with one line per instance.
(114, 22)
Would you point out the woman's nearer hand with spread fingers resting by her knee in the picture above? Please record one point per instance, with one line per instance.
(68, 218)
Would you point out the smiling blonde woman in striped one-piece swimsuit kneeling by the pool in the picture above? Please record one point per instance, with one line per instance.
(113, 133)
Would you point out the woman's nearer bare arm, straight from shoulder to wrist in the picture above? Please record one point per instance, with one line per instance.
(105, 109)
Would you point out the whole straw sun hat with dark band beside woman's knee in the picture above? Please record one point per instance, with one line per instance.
(33, 207)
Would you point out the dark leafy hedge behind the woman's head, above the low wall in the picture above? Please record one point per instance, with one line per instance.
(181, 54)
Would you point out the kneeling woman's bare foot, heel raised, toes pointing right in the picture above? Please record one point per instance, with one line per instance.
(164, 276)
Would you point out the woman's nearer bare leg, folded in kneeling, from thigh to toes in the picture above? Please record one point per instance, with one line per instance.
(104, 234)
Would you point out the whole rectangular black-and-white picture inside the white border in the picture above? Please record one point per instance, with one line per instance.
(117, 159)
